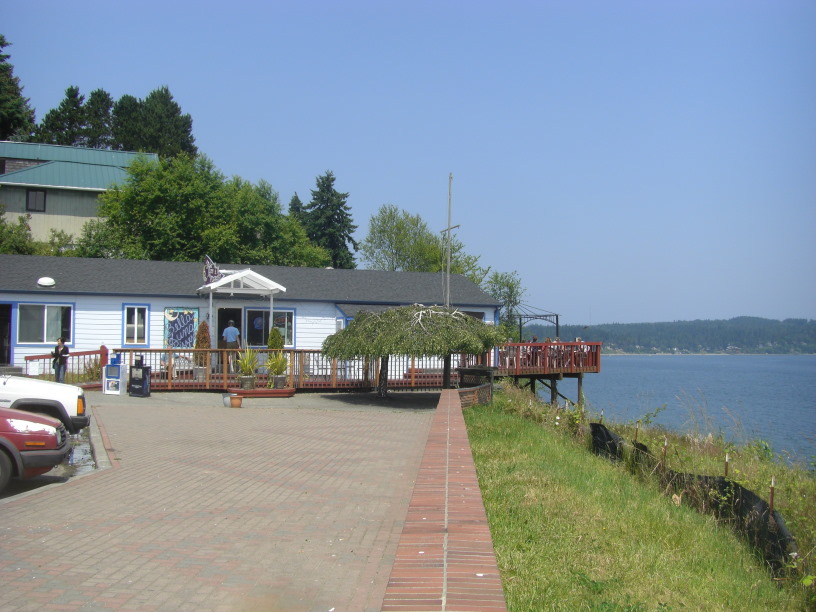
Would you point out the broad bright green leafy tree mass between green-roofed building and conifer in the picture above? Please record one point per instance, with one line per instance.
(183, 208)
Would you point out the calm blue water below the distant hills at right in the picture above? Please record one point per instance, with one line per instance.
(744, 397)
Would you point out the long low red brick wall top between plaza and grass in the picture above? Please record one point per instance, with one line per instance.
(445, 558)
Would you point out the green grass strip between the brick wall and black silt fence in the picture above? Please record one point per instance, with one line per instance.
(573, 532)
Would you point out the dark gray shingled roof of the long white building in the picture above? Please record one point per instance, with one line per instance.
(125, 277)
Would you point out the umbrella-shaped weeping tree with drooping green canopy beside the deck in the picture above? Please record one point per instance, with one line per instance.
(416, 331)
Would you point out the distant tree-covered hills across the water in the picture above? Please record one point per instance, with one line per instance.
(738, 335)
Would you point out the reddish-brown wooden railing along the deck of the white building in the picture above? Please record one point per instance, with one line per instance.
(309, 370)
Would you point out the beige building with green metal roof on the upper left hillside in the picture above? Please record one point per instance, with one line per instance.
(58, 186)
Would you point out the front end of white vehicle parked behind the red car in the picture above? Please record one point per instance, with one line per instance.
(65, 403)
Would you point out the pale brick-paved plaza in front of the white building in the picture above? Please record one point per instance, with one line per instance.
(283, 504)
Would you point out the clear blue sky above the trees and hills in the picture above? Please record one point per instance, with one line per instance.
(633, 161)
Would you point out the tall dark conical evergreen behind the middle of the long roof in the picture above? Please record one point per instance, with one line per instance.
(328, 223)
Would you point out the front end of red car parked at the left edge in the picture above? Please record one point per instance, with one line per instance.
(30, 444)
